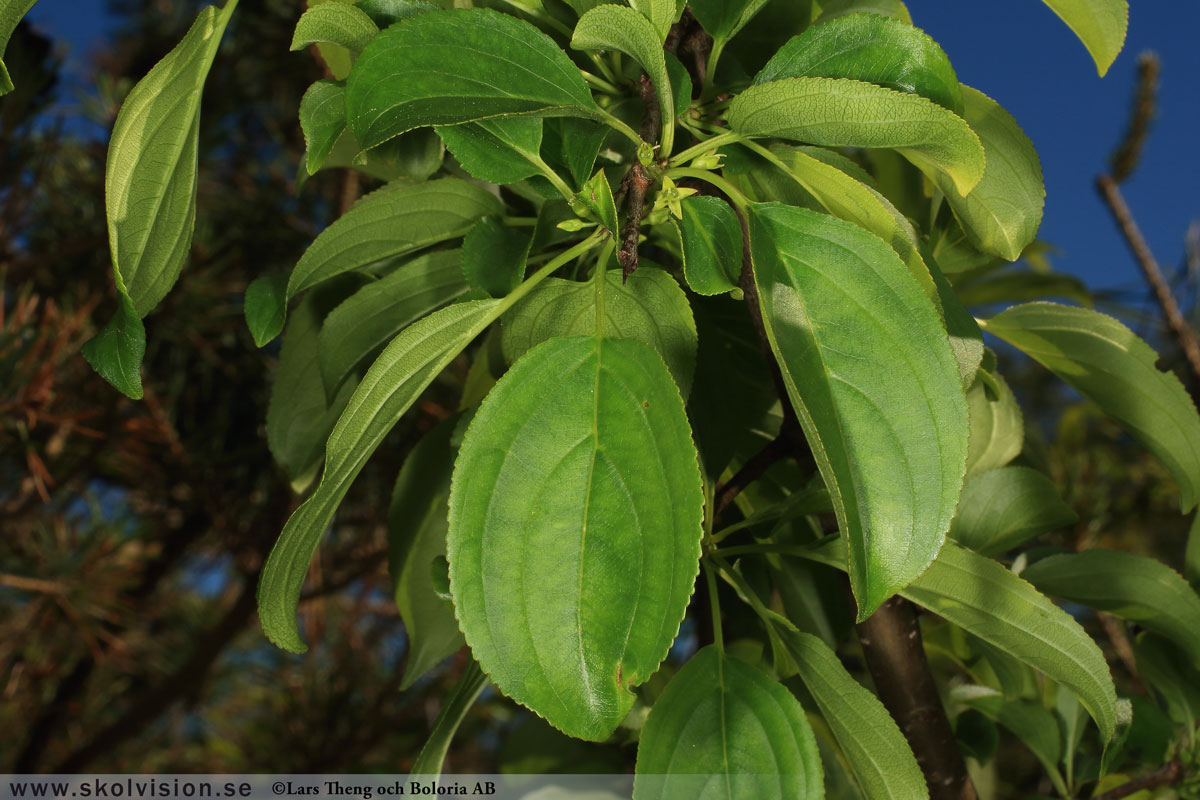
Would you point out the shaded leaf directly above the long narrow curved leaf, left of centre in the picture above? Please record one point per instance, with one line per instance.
(377, 312)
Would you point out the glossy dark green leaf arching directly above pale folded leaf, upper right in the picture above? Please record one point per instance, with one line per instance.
(868, 47)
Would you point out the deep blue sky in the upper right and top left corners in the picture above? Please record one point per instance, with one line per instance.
(1019, 53)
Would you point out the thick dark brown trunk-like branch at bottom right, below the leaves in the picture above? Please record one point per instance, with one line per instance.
(891, 640)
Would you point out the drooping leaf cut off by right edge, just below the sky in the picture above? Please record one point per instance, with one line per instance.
(1107, 363)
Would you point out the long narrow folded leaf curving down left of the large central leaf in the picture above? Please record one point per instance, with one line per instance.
(395, 381)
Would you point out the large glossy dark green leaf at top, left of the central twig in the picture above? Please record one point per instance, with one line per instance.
(445, 68)
